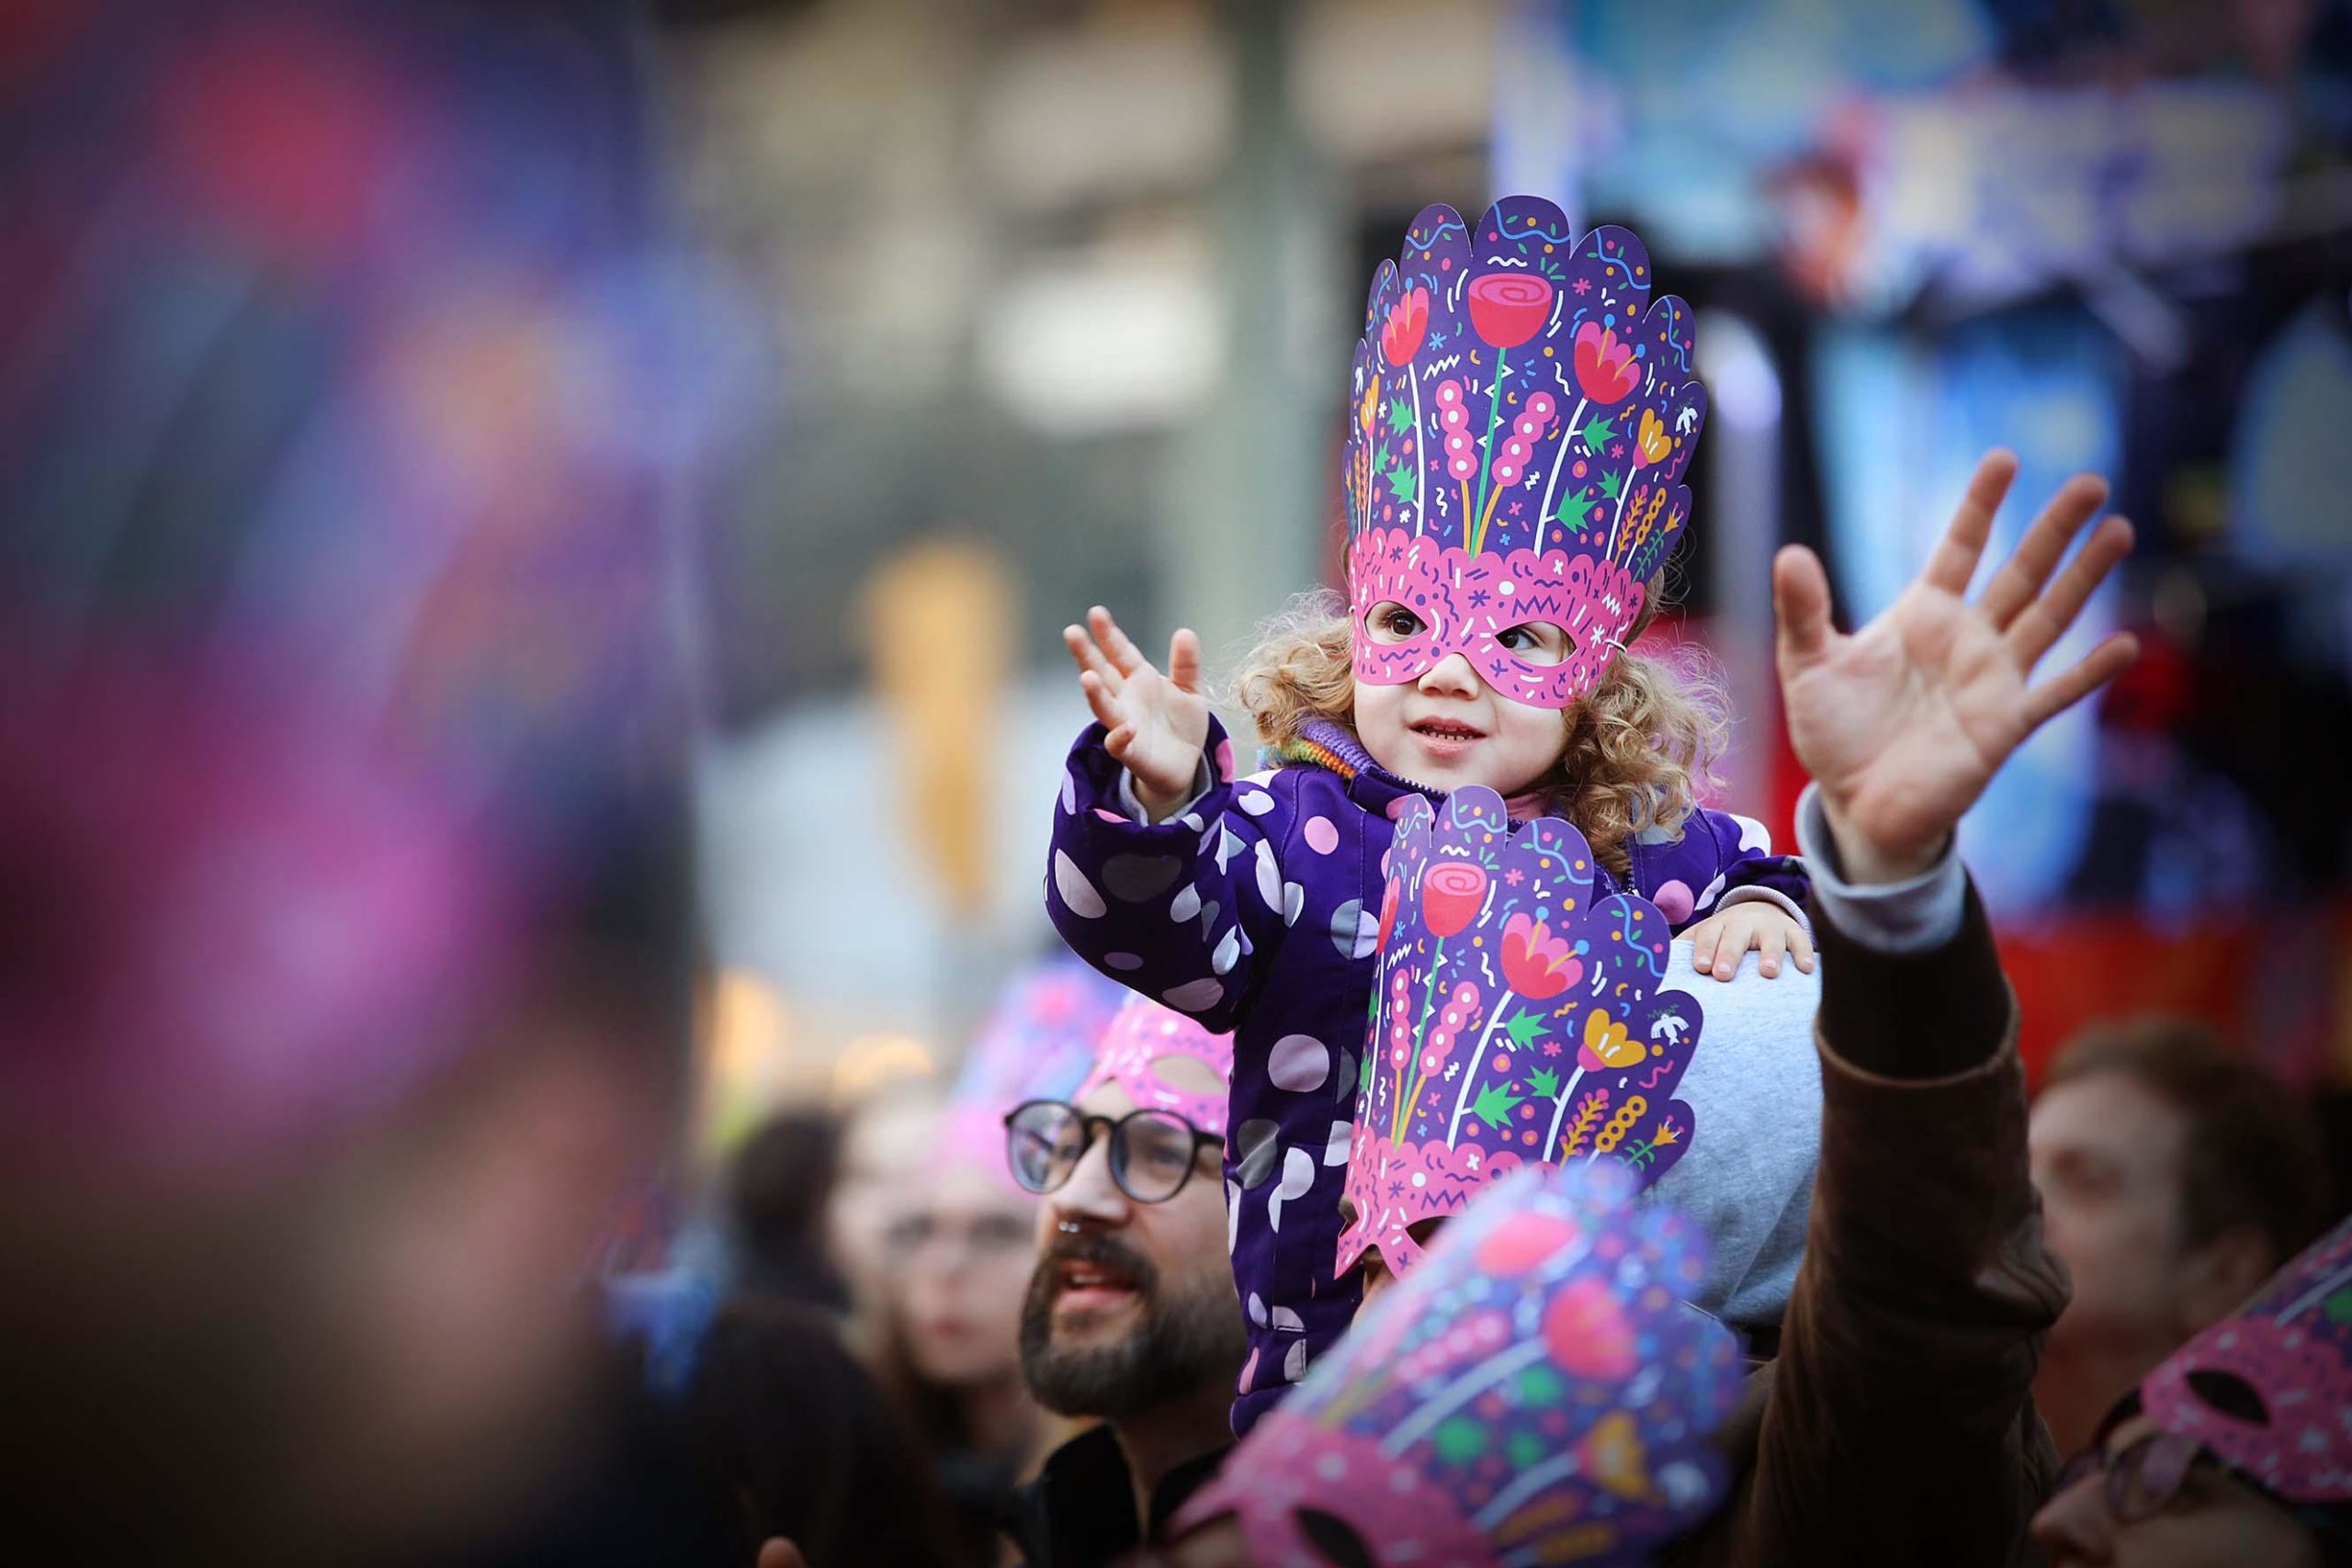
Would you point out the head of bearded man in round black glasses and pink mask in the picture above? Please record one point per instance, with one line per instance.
(1132, 1308)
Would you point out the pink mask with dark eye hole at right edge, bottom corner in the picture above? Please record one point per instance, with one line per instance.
(2271, 1388)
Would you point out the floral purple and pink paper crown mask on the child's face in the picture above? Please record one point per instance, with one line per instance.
(1518, 429)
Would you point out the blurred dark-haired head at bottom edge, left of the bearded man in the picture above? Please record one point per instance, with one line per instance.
(801, 1445)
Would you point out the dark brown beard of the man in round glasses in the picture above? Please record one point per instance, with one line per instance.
(1177, 1346)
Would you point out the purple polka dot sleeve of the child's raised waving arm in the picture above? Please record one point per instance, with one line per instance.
(1189, 911)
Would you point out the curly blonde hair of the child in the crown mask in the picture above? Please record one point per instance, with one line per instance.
(1641, 746)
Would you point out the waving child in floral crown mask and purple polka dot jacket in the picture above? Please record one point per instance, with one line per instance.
(1518, 431)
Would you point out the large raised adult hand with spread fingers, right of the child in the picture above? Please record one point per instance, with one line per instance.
(1909, 721)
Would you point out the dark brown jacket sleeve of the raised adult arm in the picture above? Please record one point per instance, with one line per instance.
(1899, 1426)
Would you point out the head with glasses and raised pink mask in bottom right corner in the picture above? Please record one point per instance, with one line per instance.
(2236, 1449)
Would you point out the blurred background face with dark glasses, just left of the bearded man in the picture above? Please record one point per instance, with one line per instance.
(965, 1259)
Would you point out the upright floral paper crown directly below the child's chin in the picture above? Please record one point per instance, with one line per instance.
(1516, 1021)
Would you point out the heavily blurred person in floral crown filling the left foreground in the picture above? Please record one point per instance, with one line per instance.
(342, 746)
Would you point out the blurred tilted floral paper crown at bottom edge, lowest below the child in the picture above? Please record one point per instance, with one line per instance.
(1539, 1393)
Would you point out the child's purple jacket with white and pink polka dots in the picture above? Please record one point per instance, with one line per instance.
(1257, 911)
